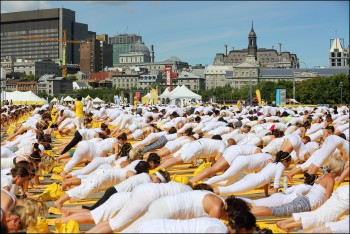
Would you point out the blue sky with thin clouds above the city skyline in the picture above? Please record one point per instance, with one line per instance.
(195, 31)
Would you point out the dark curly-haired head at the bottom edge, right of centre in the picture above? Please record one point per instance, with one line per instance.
(241, 222)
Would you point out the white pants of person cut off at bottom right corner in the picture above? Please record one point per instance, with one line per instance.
(333, 208)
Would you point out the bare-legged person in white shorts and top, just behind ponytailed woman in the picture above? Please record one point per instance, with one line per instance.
(226, 160)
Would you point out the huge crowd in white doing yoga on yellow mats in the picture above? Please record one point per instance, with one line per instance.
(127, 151)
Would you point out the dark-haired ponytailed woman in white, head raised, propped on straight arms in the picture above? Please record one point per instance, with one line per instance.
(273, 170)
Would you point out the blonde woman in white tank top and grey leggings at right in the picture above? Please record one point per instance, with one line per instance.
(318, 194)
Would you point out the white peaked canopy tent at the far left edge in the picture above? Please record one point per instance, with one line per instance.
(21, 98)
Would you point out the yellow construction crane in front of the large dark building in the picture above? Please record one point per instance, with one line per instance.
(64, 45)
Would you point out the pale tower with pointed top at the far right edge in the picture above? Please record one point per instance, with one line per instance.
(338, 56)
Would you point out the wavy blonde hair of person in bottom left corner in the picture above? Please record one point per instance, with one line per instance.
(28, 211)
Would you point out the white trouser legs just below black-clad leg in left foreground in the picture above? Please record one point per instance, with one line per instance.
(110, 208)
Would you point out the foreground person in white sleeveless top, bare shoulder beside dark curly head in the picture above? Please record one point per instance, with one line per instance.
(201, 202)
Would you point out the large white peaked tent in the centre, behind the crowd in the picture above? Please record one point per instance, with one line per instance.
(182, 96)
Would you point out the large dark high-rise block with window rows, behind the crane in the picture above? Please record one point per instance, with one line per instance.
(48, 23)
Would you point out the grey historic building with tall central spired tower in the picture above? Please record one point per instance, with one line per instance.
(266, 57)
